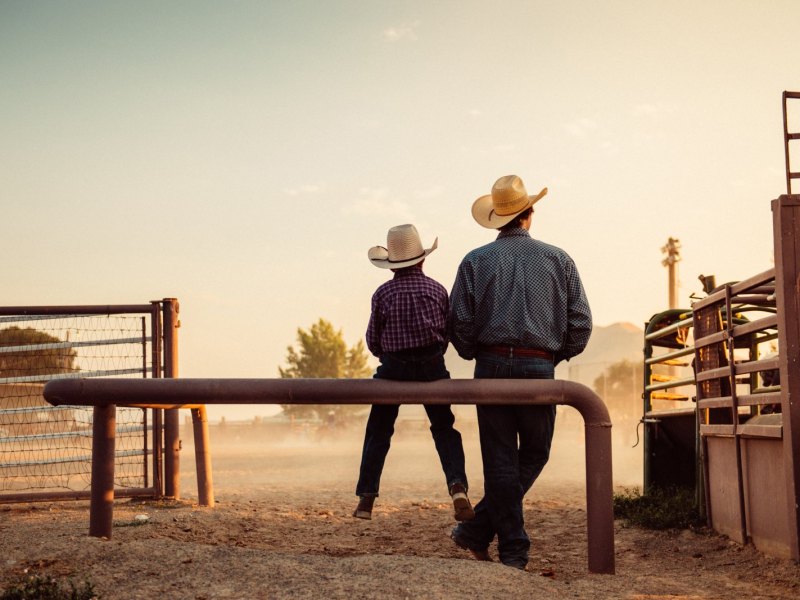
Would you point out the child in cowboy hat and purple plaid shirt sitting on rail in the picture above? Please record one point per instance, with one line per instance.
(407, 331)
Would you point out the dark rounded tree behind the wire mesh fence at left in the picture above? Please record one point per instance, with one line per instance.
(34, 361)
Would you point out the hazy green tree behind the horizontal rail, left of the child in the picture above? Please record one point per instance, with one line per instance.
(322, 352)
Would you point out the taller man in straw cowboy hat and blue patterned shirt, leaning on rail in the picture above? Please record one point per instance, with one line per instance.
(518, 308)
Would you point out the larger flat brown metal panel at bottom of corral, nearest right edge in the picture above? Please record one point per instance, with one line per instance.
(765, 495)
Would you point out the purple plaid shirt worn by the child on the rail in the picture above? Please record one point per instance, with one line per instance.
(408, 311)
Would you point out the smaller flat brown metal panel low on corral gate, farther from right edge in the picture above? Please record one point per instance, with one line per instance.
(722, 484)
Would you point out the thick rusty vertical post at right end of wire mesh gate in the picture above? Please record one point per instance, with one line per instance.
(172, 436)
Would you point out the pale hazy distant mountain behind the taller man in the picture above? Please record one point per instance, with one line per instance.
(606, 346)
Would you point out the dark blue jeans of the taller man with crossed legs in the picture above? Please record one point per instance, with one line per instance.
(515, 446)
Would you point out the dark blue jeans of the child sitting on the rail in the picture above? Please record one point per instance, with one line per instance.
(418, 365)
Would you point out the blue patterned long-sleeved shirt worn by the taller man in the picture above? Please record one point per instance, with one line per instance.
(519, 291)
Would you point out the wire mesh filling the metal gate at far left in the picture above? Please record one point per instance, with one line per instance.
(45, 448)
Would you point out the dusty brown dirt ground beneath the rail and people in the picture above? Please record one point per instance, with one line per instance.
(282, 529)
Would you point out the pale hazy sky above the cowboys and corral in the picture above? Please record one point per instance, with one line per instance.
(243, 156)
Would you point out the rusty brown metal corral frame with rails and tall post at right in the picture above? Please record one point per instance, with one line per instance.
(718, 372)
